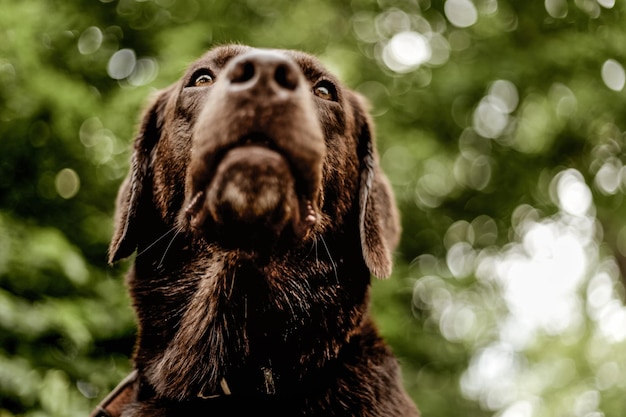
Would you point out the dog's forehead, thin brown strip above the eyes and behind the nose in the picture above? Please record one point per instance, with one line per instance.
(219, 57)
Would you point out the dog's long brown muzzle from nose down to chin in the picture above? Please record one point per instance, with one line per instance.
(258, 151)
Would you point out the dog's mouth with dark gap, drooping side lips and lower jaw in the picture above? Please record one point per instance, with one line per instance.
(253, 190)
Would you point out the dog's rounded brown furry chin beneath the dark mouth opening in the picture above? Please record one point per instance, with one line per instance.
(253, 196)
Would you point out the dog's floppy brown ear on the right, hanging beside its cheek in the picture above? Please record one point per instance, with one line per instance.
(378, 217)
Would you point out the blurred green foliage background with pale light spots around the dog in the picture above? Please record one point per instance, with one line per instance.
(500, 123)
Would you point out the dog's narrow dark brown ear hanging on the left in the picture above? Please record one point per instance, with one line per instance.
(133, 190)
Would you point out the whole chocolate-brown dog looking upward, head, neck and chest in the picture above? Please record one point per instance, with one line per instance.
(258, 211)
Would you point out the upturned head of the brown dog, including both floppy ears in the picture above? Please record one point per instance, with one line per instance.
(257, 149)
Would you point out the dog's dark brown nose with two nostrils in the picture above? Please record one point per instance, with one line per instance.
(263, 70)
